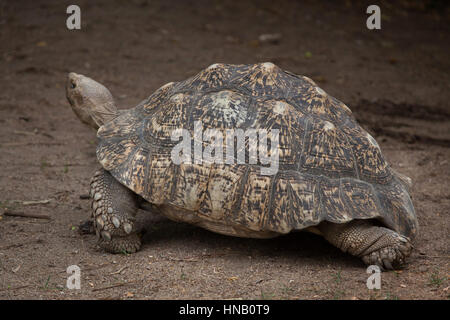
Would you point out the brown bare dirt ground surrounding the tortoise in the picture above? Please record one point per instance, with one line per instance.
(396, 80)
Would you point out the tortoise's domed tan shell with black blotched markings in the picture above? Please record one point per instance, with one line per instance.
(329, 167)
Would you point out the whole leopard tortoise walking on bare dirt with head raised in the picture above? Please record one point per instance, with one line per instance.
(330, 179)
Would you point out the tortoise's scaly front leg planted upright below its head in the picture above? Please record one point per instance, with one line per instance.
(114, 209)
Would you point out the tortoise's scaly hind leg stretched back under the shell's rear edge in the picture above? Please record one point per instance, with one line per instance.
(374, 245)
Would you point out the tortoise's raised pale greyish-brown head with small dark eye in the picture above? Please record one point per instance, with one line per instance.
(91, 101)
